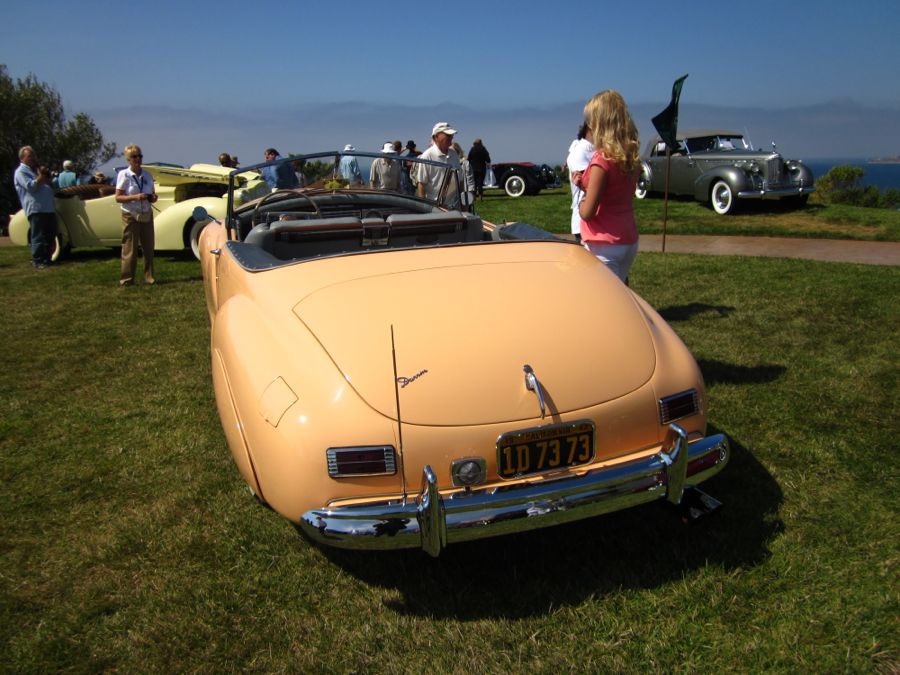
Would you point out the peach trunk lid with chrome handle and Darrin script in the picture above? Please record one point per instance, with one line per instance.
(461, 329)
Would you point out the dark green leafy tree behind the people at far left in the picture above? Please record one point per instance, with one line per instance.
(31, 113)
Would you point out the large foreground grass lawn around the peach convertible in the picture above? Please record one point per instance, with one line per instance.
(130, 542)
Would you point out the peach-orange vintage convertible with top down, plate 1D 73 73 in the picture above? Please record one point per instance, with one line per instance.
(392, 372)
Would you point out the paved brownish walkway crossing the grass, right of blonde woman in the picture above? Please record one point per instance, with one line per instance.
(828, 250)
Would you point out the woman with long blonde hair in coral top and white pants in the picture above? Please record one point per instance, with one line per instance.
(608, 228)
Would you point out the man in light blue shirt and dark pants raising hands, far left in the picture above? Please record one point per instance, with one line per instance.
(33, 185)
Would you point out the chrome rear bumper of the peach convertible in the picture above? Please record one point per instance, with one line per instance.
(431, 521)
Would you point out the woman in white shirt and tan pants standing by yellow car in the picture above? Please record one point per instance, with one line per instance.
(136, 194)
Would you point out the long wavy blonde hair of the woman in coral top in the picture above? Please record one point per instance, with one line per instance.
(615, 134)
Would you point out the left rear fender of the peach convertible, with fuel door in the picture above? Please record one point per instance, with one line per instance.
(278, 422)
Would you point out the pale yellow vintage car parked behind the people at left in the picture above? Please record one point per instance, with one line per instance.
(88, 215)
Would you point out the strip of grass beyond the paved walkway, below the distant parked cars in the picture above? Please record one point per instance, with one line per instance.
(550, 209)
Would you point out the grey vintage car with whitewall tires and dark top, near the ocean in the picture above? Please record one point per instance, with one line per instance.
(721, 167)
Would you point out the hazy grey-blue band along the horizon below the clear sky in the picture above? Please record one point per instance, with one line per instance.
(840, 128)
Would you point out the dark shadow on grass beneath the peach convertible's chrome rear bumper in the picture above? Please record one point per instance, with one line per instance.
(532, 573)
